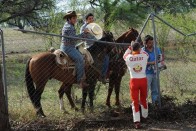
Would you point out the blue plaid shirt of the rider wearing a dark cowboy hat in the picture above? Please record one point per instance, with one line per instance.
(69, 30)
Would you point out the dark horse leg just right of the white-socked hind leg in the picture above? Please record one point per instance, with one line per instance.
(68, 94)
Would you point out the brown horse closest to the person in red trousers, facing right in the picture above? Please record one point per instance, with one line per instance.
(117, 66)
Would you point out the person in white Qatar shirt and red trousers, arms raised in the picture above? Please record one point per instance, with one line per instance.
(136, 61)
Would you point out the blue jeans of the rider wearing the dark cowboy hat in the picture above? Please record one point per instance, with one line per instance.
(72, 52)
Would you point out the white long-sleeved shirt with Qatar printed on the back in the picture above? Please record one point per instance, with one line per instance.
(136, 63)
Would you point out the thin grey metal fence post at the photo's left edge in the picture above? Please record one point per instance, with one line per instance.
(4, 69)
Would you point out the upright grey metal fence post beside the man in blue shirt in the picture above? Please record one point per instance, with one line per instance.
(156, 59)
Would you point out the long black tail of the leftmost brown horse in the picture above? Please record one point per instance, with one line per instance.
(29, 83)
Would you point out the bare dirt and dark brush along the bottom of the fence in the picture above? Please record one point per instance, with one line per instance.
(169, 117)
